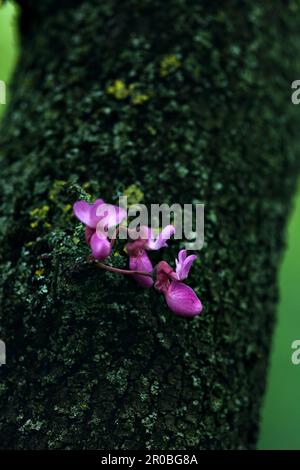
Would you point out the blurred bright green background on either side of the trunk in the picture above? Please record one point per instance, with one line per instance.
(280, 427)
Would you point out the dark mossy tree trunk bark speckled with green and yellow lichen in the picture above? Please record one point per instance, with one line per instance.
(179, 101)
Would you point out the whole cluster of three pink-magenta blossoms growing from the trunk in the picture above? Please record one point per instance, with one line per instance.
(100, 217)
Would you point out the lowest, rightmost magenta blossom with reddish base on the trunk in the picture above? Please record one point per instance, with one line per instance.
(181, 299)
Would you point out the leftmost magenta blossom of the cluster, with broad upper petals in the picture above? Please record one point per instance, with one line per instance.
(98, 218)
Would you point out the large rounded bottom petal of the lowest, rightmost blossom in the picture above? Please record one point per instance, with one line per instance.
(182, 300)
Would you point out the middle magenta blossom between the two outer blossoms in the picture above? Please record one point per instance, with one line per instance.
(138, 258)
